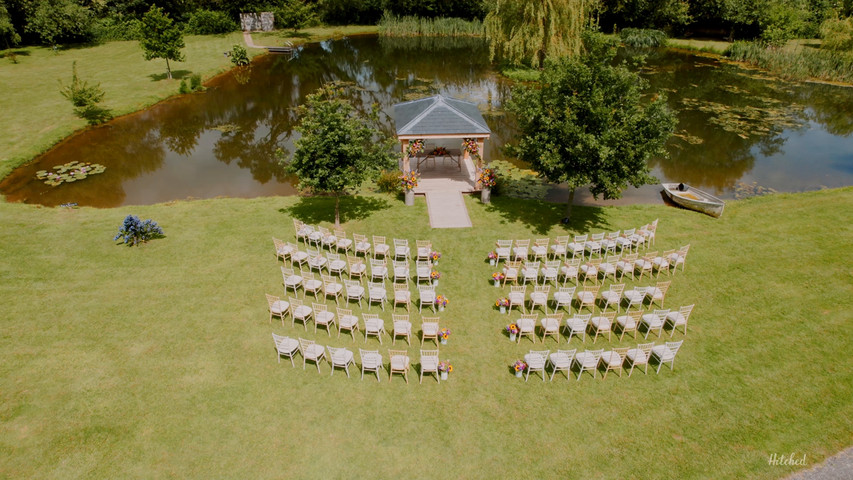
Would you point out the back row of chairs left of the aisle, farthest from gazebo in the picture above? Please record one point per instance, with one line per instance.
(371, 360)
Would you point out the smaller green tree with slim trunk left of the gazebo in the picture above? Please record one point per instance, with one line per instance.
(338, 151)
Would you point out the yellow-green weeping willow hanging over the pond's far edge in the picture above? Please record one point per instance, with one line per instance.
(528, 32)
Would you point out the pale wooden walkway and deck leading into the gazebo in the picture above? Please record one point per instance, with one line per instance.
(442, 182)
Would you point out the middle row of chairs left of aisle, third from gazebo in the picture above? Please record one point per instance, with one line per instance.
(372, 292)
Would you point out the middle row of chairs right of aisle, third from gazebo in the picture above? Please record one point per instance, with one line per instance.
(587, 296)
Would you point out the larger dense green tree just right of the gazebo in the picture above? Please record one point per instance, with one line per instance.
(586, 124)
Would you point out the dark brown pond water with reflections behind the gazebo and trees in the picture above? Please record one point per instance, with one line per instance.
(735, 127)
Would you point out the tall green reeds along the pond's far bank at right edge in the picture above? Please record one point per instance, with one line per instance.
(796, 64)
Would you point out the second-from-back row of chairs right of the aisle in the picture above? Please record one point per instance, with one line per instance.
(604, 323)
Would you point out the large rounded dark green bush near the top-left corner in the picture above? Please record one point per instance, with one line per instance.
(54, 21)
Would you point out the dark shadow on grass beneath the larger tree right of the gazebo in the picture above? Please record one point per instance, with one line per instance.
(541, 216)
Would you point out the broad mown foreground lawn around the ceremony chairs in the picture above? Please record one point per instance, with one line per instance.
(158, 362)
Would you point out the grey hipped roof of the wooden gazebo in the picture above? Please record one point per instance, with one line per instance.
(439, 116)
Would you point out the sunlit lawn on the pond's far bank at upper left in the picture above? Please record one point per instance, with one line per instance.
(35, 116)
